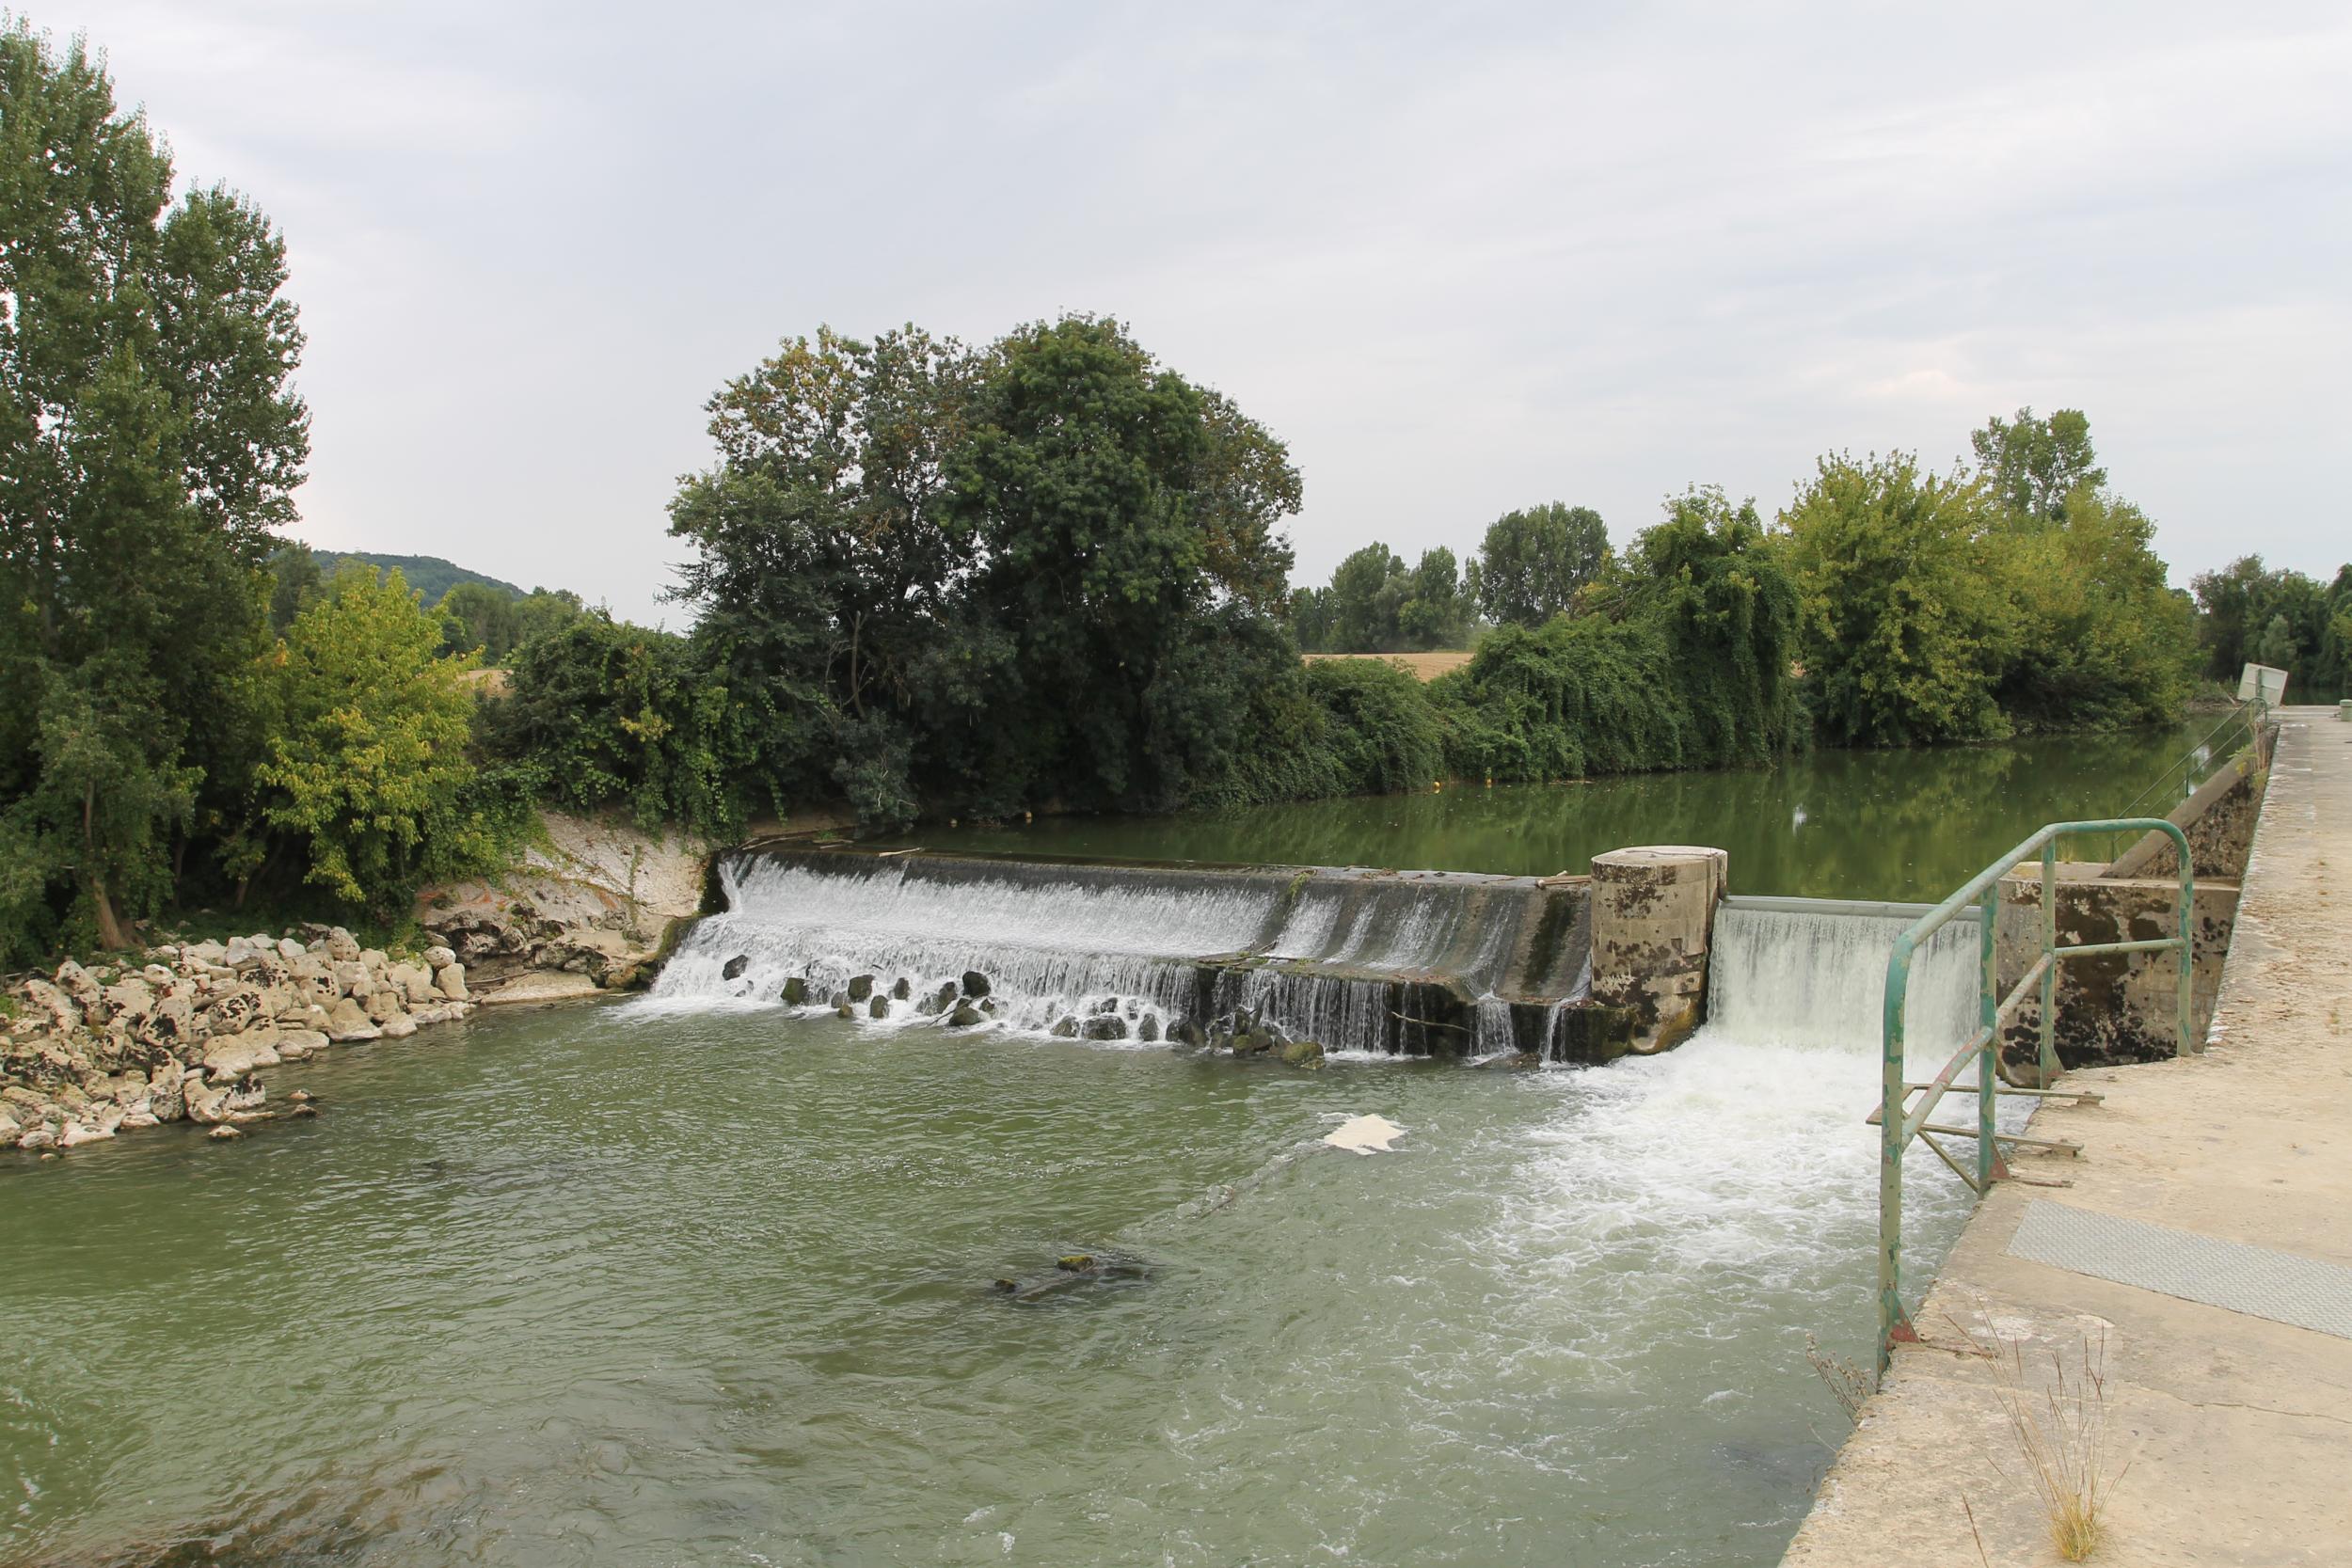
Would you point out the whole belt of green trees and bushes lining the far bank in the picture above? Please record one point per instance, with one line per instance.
(921, 579)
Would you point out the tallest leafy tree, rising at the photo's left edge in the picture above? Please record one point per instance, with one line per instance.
(149, 448)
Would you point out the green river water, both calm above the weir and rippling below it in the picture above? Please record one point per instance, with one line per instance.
(709, 1285)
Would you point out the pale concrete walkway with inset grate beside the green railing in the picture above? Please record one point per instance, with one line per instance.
(2229, 1435)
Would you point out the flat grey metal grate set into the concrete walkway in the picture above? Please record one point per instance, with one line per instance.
(2252, 1280)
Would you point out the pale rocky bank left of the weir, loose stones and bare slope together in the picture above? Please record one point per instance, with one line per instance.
(180, 1031)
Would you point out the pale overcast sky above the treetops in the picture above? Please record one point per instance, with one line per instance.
(1459, 260)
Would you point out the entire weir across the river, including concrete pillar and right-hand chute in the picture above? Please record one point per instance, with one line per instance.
(1347, 958)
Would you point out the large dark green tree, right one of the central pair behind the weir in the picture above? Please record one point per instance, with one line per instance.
(1121, 561)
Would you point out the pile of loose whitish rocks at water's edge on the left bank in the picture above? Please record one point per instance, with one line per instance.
(180, 1036)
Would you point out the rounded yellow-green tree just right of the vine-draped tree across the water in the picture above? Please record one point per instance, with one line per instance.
(1906, 629)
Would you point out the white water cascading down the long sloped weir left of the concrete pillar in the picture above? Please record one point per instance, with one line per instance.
(1354, 960)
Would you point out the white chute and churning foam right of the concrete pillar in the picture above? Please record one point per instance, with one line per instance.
(1742, 1167)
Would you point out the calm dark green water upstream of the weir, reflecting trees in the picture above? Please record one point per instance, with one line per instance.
(1911, 824)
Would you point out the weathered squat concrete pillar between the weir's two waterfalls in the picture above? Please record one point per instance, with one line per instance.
(1652, 930)
